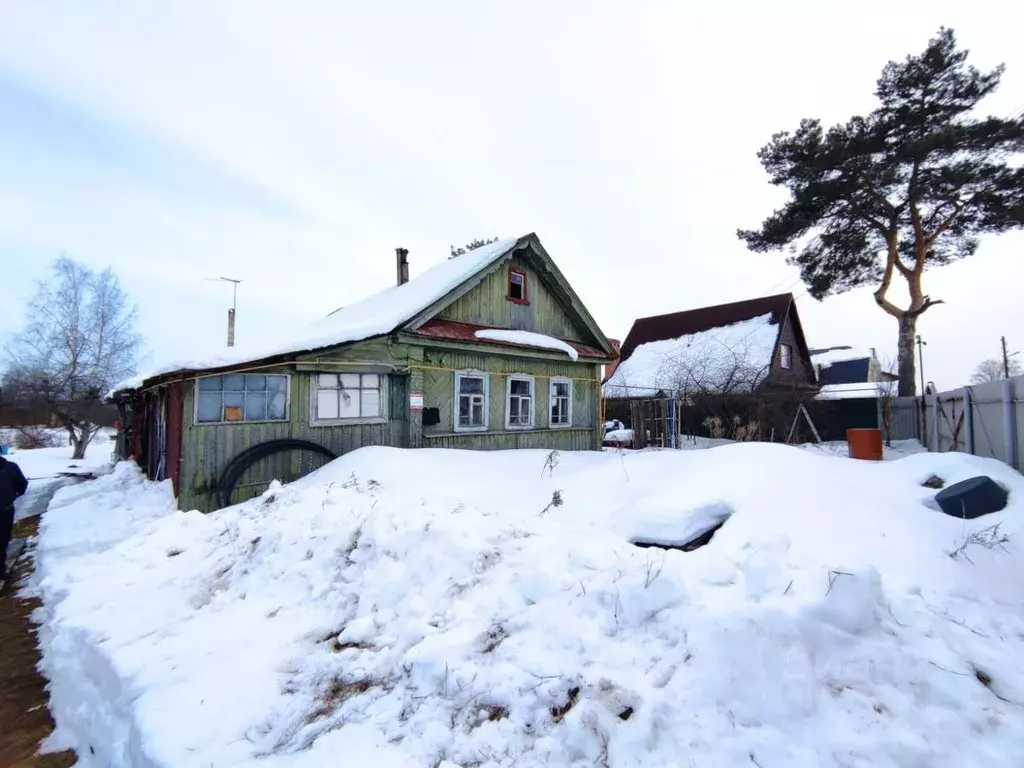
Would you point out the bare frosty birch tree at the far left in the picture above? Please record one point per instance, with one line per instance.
(79, 340)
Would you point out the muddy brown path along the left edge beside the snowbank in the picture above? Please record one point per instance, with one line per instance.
(25, 718)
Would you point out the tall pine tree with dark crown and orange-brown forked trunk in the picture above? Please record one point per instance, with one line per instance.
(913, 185)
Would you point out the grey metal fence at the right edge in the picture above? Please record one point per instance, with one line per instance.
(983, 419)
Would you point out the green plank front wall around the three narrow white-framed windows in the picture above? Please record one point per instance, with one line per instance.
(440, 367)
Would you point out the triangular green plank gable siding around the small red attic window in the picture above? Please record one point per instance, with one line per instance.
(488, 305)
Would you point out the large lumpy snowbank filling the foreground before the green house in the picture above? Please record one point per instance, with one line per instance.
(404, 609)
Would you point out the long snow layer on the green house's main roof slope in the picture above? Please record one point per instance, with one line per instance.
(374, 316)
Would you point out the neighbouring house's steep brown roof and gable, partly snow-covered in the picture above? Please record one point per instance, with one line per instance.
(728, 350)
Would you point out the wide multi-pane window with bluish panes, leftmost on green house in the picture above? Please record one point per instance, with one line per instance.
(242, 398)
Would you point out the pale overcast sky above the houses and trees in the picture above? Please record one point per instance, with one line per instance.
(295, 145)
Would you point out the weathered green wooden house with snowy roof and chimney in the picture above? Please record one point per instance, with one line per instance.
(490, 350)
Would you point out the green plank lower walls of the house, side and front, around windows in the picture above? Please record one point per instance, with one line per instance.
(409, 368)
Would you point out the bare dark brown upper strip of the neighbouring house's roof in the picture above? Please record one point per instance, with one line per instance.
(673, 326)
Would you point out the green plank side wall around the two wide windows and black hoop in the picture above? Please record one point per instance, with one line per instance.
(208, 448)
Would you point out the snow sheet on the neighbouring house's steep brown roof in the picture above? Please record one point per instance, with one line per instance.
(729, 359)
